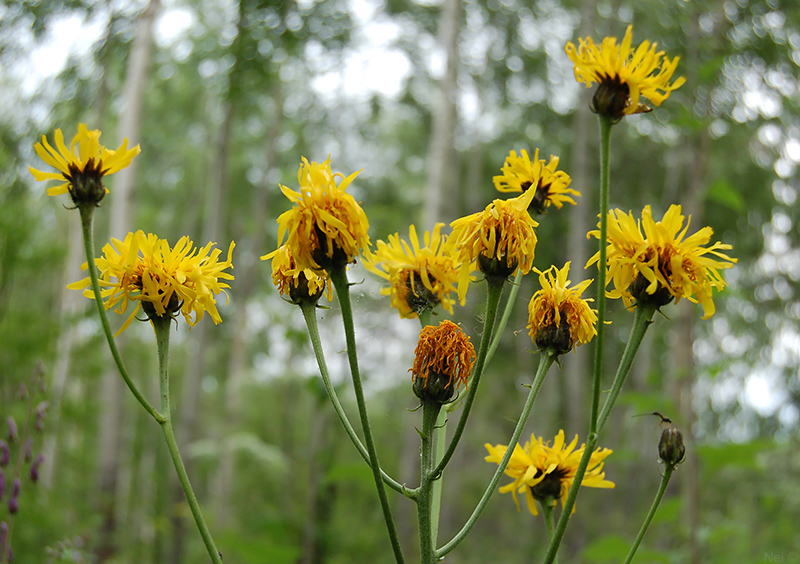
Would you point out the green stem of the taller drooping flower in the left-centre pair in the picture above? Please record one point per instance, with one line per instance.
(339, 278)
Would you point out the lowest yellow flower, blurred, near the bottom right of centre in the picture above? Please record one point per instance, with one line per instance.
(546, 473)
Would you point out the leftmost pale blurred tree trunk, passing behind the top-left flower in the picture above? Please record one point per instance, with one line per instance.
(72, 303)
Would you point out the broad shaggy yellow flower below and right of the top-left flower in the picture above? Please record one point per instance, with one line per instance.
(162, 280)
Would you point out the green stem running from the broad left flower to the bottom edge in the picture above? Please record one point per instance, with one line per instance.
(162, 325)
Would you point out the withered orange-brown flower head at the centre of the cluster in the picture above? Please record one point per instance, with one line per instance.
(442, 361)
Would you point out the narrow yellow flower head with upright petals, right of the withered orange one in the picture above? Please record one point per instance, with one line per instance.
(558, 318)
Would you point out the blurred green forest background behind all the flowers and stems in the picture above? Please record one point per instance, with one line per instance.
(428, 97)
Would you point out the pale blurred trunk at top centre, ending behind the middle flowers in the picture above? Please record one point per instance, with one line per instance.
(442, 168)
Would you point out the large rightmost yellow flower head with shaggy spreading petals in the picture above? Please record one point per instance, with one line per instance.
(663, 264)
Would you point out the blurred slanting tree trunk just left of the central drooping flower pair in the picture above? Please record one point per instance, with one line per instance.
(245, 286)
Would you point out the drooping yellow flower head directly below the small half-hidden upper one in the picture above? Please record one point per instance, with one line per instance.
(501, 238)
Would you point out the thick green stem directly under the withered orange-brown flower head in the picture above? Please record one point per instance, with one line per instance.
(430, 412)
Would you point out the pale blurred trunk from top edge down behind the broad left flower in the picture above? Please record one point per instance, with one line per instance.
(112, 416)
